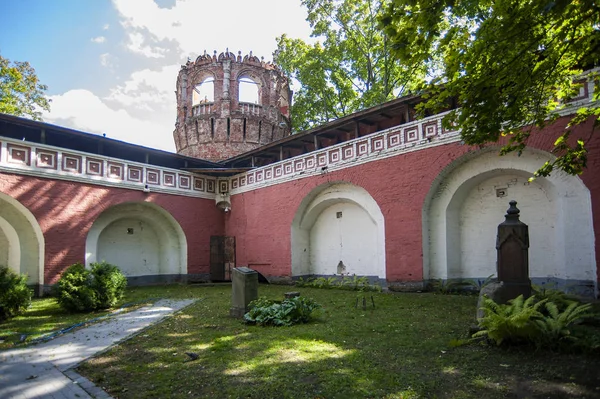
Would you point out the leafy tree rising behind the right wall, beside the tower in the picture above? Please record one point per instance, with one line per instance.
(351, 69)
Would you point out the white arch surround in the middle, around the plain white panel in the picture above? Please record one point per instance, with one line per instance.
(313, 206)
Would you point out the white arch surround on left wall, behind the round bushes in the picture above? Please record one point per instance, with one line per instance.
(172, 240)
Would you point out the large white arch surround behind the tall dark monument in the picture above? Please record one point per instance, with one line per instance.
(567, 197)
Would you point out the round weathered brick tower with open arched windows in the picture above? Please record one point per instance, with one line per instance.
(228, 104)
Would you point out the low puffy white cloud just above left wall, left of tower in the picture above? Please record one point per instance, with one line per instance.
(83, 110)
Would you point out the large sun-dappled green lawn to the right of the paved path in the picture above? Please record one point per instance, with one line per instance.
(399, 349)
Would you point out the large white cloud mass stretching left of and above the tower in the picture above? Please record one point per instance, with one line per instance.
(142, 109)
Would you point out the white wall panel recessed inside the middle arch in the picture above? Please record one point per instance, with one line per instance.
(351, 239)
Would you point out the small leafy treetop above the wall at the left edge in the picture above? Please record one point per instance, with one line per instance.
(21, 94)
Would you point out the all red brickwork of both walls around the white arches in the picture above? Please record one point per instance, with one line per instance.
(261, 217)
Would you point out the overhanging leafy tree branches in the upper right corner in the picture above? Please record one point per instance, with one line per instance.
(505, 63)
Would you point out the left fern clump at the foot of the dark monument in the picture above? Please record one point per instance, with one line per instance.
(512, 322)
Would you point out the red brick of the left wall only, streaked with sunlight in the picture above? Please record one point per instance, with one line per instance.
(65, 212)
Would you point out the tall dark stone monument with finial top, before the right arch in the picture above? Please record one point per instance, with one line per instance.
(512, 245)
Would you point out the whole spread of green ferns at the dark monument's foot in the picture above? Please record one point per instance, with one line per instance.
(542, 323)
